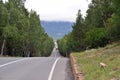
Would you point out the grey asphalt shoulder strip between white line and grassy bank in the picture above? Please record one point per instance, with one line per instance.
(62, 70)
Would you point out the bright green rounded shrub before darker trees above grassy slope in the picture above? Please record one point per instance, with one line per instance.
(96, 37)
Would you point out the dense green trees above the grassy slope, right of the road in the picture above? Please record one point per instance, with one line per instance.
(99, 27)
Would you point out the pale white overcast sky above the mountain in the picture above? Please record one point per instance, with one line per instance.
(58, 10)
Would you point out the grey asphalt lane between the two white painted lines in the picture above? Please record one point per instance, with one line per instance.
(28, 69)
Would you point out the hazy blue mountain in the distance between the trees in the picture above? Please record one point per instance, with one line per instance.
(57, 29)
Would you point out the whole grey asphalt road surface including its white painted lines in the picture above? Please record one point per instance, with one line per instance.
(54, 67)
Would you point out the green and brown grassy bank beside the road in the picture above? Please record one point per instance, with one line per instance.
(88, 63)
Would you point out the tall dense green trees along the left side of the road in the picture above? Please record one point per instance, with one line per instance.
(21, 33)
